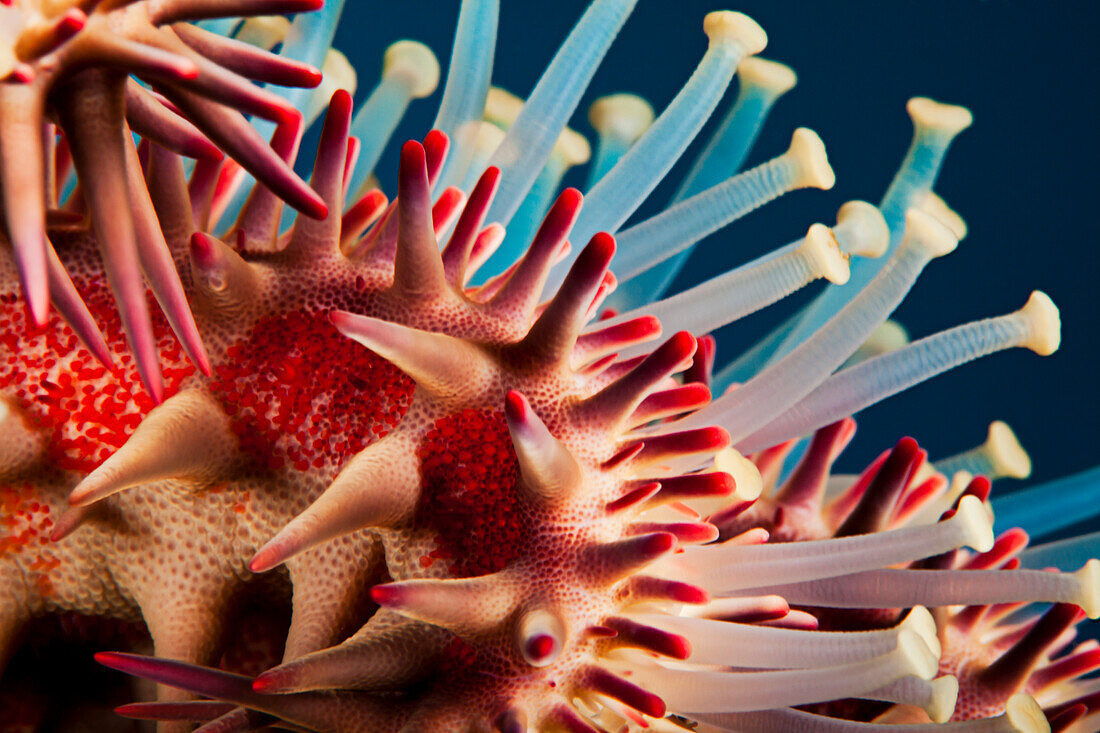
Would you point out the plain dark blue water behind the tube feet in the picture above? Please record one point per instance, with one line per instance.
(1024, 177)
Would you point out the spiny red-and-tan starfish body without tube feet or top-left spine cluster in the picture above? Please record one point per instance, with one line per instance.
(480, 471)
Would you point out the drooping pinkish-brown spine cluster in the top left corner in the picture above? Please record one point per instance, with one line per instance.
(69, 64)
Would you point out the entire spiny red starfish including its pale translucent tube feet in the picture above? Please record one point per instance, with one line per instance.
(420, 464)
